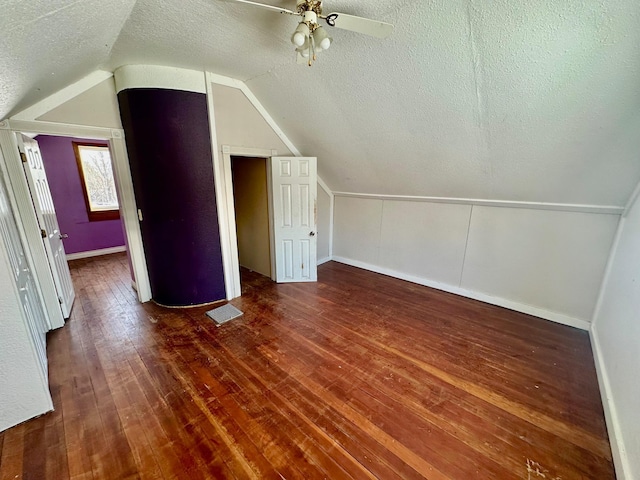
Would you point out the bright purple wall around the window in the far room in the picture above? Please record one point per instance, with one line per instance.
(66, 190)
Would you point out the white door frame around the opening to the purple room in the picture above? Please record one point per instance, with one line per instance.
(124, 185)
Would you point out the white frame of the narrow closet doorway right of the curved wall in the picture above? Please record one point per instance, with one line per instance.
(227, 215)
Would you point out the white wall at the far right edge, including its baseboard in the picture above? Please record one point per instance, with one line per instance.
(616, 339)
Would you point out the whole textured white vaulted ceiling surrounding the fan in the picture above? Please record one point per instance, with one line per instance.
(531, 100)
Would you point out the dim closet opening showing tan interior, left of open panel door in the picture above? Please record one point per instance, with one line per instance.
(251, 204)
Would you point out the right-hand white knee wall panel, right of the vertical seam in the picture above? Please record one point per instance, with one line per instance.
(552, 260)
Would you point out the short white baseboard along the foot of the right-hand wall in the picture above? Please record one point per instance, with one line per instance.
(618, 450)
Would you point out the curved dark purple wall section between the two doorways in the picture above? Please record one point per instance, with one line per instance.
(169, 147)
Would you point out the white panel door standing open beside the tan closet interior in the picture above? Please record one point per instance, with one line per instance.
(294, 188)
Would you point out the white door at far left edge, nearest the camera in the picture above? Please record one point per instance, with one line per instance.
(24, 280)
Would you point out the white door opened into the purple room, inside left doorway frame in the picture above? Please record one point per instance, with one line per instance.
(46, 214)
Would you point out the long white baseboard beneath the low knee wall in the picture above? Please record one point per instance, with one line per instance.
(500, 302)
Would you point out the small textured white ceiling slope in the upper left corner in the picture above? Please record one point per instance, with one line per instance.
(47, 44)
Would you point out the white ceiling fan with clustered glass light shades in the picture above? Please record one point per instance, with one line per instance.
(309, 37)
